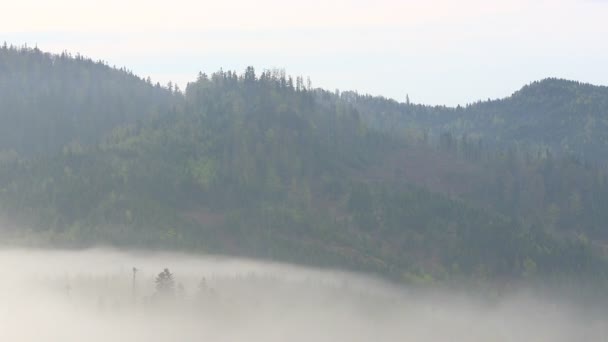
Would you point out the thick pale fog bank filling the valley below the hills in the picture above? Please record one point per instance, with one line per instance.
(91, 296)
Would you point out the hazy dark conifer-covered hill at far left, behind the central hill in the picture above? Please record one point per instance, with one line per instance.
(49, 101)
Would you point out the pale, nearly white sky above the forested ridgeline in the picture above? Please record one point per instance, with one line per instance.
(439, 52)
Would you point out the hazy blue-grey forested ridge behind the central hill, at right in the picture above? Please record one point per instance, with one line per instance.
(566, 117)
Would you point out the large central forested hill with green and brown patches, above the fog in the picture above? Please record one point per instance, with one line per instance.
(259, 166)
